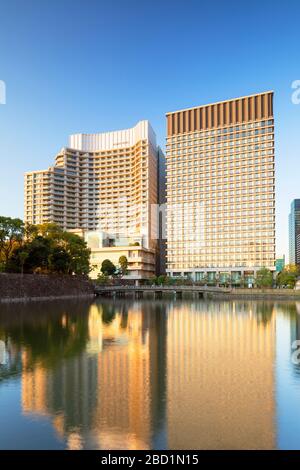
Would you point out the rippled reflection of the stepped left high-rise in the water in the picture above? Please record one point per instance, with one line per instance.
(108, 396)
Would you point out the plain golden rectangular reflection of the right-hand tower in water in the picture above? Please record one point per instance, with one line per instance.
(220, 376)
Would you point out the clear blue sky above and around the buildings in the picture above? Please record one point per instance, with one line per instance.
(94, 66)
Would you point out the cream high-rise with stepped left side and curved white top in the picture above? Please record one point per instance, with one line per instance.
(103, 184)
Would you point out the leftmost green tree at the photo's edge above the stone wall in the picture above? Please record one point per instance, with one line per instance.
(11, 234)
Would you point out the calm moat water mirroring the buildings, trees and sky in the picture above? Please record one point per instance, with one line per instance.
(149, 374)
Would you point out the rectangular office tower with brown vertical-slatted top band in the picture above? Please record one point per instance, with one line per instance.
(221, 189)
